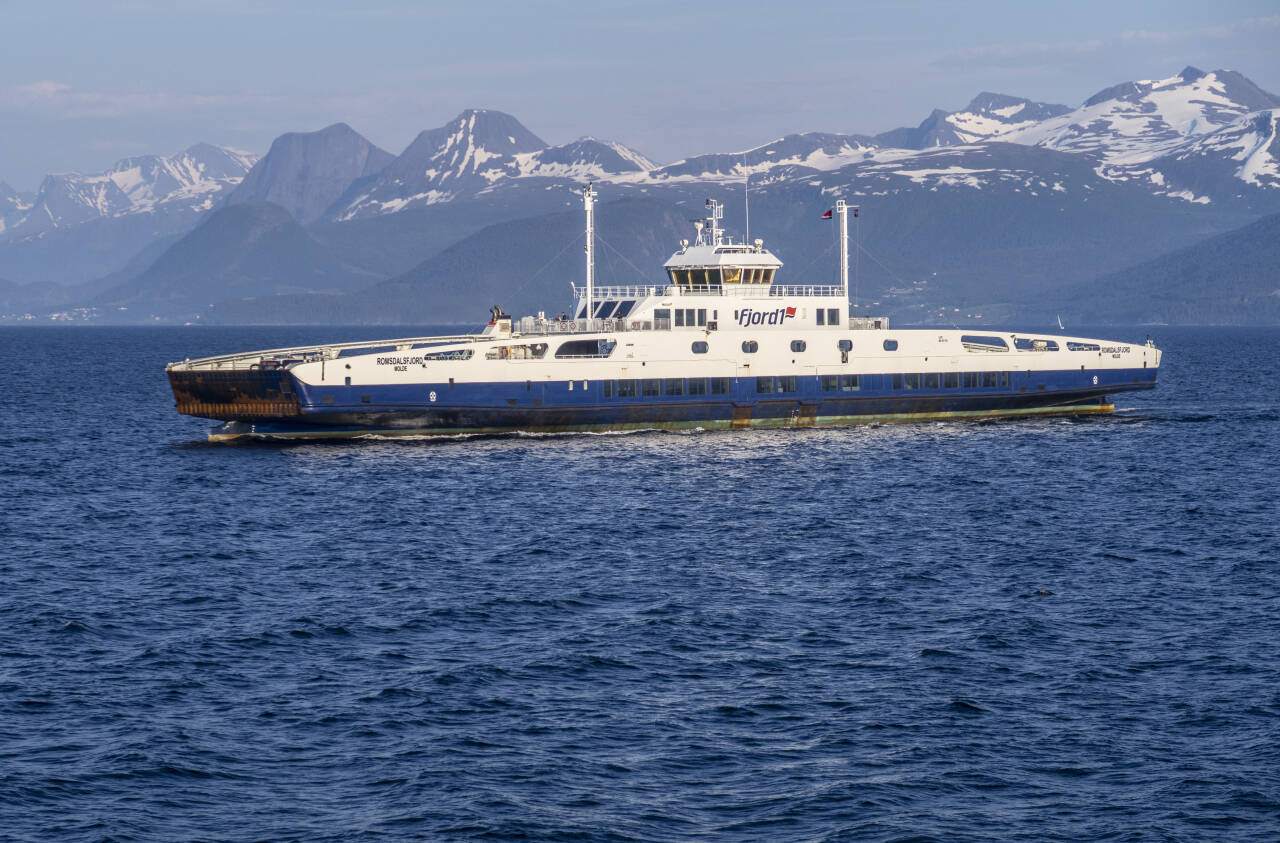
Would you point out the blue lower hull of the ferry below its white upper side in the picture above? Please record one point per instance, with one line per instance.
(424, 410)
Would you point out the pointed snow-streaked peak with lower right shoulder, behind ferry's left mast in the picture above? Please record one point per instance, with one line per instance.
(476, 154)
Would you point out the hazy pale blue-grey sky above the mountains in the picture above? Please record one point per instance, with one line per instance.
(84, 84)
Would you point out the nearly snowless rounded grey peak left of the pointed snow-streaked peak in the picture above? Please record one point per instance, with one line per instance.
(307, 172)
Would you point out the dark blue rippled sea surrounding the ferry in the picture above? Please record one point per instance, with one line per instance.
(1062, 630)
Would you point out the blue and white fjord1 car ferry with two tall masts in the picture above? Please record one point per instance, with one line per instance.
(720, 343)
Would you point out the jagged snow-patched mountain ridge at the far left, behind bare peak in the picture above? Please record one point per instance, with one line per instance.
(190, 181)
